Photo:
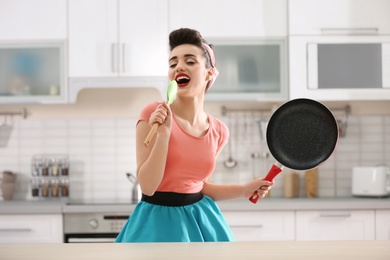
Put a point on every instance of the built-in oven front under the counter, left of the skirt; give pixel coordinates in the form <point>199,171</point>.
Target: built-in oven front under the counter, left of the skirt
<point>93,227</point>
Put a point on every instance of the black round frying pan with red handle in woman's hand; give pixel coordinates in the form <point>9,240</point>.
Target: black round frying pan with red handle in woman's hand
<point>301,134</point>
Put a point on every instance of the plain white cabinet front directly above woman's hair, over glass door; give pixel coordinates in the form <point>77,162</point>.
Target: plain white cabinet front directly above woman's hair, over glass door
<point>234,18</point>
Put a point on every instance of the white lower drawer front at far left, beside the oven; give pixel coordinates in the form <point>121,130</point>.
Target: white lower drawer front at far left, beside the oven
<point>31,228</point>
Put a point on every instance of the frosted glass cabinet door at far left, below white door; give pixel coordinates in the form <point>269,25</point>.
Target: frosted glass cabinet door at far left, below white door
<point>33,72</point>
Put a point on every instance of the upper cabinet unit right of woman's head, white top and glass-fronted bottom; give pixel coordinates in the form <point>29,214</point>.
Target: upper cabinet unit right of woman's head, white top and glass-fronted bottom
<point>250,43</point>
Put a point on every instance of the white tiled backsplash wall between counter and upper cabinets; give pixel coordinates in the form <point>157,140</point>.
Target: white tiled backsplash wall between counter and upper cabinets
<point>101,151</point>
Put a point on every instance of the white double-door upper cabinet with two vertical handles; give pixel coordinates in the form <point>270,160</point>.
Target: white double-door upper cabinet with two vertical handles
<point>118,38</point>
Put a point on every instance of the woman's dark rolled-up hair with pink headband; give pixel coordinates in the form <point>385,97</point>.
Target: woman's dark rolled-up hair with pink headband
<point>189,36</point>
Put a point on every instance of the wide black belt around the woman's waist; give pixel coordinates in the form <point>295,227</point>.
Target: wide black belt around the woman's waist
<point>172,198</point>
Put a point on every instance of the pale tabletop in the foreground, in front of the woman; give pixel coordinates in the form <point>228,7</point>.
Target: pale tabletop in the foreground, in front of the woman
<point>278,250</point>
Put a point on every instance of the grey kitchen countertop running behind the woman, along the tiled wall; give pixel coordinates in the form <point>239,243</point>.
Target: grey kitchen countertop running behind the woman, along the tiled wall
<point>269,204</point>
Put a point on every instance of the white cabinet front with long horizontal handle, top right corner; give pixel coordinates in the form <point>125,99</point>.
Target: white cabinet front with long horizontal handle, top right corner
<point>308,17</point>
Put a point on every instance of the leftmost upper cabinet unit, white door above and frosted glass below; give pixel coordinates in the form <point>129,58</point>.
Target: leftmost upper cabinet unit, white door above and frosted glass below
<point>33,51</point>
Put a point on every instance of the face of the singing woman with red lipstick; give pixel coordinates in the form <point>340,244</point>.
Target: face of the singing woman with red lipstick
<point>187,66</point>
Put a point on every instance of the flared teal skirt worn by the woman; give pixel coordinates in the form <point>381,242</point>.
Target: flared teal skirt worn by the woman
<point>201,221</point>
